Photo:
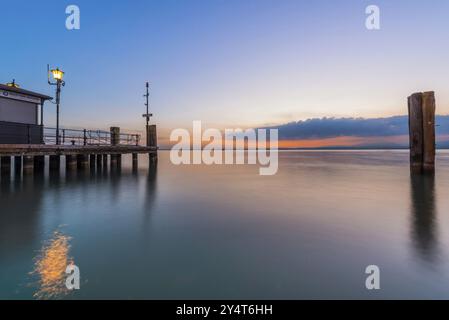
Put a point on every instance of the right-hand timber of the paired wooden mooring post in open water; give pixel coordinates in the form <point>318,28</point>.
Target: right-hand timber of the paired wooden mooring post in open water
<point>428,105</point>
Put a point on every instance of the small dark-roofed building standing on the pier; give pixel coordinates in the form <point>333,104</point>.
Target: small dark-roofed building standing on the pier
<point>21,115</point>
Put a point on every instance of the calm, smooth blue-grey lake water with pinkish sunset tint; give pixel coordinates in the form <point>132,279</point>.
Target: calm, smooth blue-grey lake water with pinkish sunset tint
<point>225,232</point>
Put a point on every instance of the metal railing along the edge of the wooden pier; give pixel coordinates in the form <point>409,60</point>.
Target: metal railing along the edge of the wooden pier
<point>85,137</point>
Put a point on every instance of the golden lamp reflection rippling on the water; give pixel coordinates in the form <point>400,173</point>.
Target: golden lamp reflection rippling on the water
<point>50,266</point>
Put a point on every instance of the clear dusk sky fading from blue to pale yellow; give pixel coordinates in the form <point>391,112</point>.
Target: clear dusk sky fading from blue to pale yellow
<point>228,63</point>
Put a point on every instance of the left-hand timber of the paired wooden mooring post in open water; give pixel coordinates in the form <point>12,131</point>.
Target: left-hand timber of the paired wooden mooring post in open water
<point>416,129</point>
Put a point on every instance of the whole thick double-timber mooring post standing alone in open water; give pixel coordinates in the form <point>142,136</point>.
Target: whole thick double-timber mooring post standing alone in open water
<point>421,108</point>
